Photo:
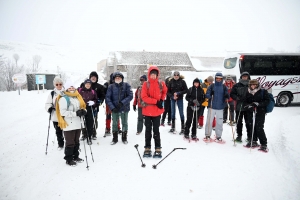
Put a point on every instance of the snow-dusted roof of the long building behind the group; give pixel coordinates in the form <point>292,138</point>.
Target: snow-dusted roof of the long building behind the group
<point>153,58</point>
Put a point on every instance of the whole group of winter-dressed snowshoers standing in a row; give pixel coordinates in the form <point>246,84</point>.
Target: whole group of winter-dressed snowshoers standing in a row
<point>75,110</point>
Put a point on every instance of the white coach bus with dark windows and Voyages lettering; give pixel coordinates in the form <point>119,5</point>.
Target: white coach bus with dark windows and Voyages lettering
<point>281,72</point>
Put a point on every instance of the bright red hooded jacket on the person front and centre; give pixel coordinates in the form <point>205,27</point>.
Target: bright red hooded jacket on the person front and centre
<point>153,94</point>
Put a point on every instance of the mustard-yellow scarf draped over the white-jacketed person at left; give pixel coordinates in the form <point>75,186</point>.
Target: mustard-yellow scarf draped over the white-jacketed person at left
<point>61,121</point>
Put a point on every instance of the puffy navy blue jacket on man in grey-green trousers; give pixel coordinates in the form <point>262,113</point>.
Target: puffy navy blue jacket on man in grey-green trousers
<point>119,93</point>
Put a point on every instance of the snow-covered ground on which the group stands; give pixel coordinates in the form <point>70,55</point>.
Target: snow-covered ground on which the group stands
<point>203,171</point>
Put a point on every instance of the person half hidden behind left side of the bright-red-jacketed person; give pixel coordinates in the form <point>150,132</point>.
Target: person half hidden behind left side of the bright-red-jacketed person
<point>137,101</point>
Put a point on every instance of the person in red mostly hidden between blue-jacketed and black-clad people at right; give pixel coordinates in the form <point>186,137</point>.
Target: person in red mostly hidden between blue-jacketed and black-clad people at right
<point>229,84</point>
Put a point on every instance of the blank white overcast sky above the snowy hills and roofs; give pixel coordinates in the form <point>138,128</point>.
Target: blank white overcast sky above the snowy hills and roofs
<point>182,25</point>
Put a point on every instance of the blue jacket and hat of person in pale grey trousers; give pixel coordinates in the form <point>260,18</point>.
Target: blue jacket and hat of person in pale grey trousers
<point>220,94</point>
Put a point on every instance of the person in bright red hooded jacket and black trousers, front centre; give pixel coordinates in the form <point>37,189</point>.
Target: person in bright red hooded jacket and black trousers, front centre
<point>153,94</point>
